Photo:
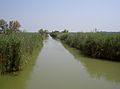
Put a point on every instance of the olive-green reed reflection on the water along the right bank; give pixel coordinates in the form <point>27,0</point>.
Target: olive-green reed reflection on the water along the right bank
<point>98,69</point>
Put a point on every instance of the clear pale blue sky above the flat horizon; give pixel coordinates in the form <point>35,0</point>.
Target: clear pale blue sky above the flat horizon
<point>74,15</point>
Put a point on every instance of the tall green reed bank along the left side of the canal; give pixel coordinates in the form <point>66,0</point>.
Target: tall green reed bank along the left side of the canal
<point>16,49</point>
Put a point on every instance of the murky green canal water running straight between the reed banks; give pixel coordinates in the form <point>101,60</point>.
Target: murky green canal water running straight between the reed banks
<point>61,67</point>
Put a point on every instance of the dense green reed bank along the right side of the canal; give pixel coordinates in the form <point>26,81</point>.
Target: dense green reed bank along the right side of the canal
<point>97,45</point>
